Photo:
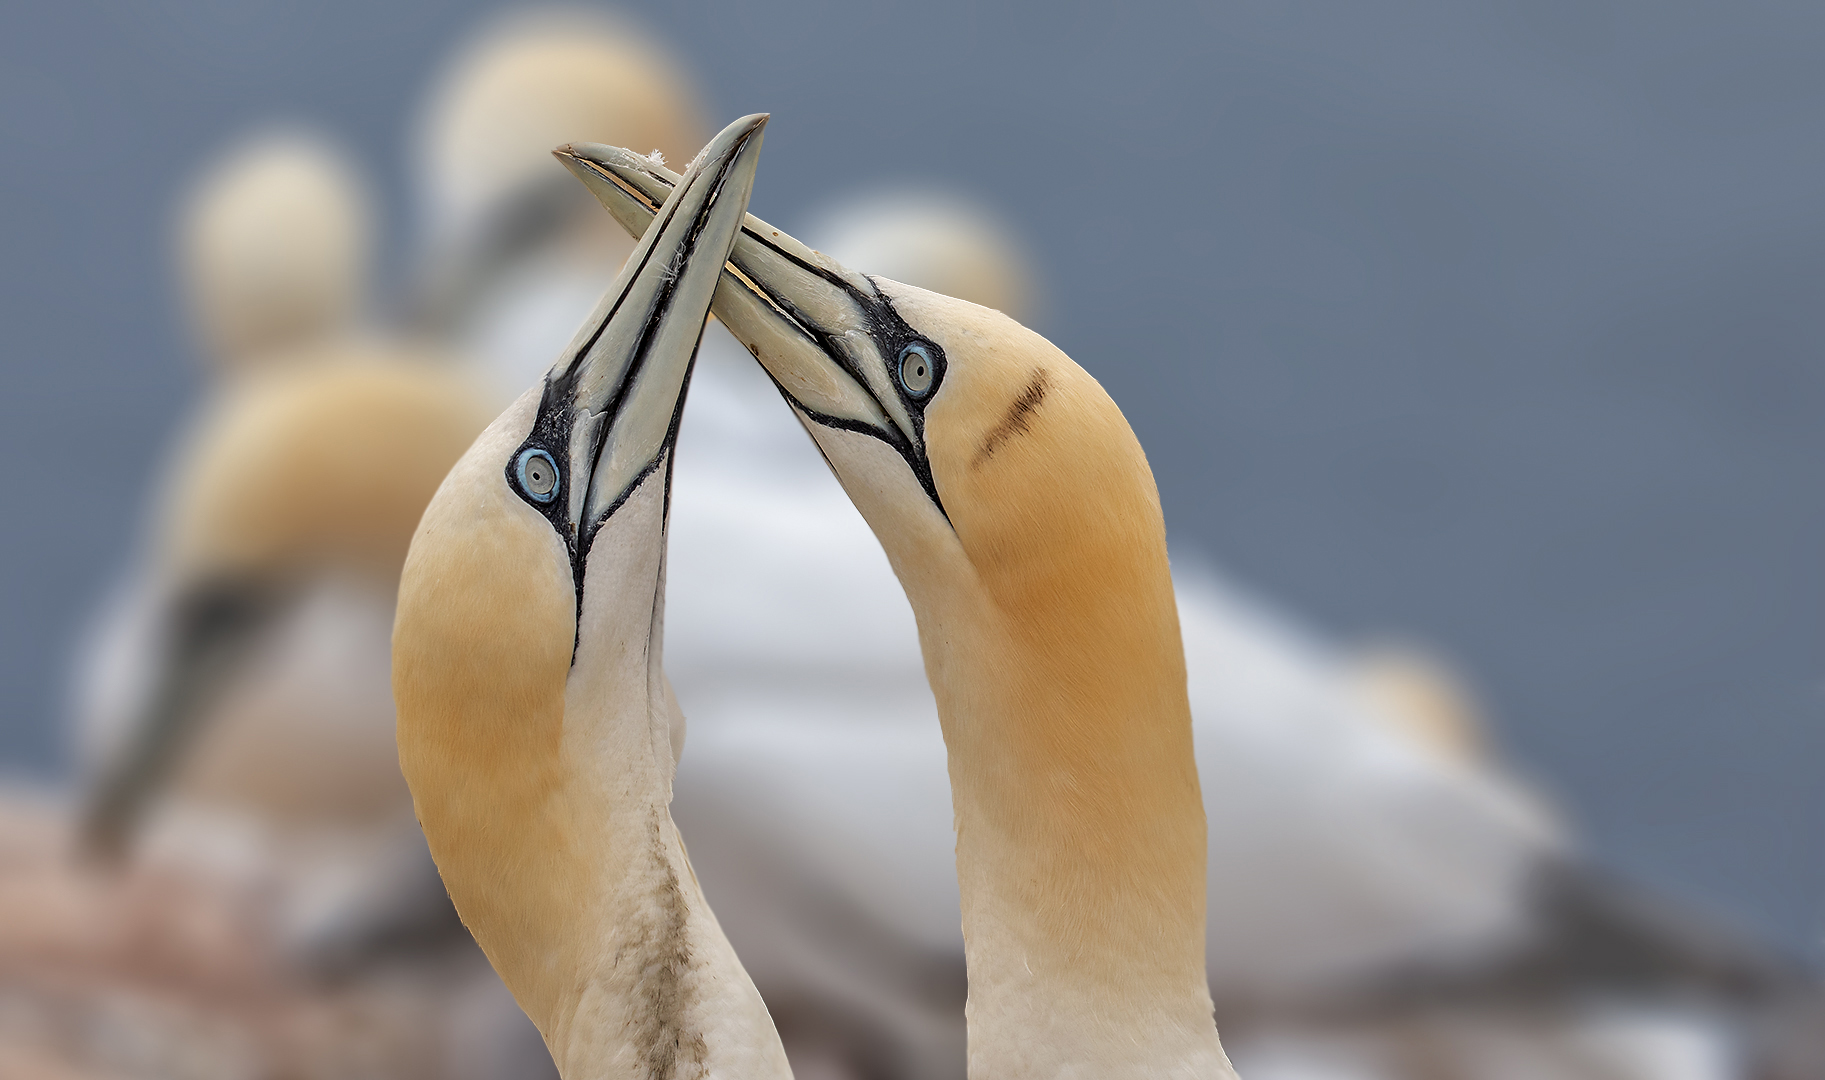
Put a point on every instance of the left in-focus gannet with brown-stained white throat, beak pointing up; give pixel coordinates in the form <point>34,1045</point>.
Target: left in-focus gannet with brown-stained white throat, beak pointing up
<point>537,731</point>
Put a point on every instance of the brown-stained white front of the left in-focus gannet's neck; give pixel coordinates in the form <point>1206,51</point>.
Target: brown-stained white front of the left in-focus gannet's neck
<point>658,988</point>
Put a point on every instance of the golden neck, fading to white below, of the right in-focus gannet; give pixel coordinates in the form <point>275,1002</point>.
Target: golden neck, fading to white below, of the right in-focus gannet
<point>1081,829</point>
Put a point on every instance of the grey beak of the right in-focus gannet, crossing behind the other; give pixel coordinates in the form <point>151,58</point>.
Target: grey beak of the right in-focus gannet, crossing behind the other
<point>828,337</point>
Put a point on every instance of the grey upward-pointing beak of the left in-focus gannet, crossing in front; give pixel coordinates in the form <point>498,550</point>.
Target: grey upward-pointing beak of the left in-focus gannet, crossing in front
<point>623,377</point>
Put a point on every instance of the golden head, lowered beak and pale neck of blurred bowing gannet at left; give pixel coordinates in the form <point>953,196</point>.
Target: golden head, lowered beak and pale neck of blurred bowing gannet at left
<point>276,559</point>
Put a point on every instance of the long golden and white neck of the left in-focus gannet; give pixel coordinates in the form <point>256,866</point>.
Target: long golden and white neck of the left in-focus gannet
<point>547,807</point>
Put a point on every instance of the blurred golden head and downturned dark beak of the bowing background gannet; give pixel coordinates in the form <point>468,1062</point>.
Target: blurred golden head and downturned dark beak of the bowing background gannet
<point>293,479</point>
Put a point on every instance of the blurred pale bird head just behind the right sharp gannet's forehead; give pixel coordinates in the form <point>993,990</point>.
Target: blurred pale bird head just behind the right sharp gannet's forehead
<point>933,240</point>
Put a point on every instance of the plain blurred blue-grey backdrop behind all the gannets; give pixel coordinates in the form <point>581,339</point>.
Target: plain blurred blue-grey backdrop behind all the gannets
<point>1494,324</point>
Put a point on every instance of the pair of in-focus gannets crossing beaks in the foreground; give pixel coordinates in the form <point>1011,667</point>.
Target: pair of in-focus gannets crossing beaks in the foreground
<point>537,729</point>
